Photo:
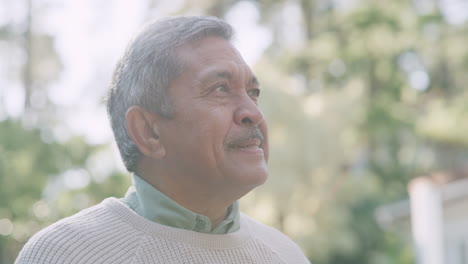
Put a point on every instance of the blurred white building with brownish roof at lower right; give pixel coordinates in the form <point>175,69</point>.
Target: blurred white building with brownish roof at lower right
<point>434,219</point>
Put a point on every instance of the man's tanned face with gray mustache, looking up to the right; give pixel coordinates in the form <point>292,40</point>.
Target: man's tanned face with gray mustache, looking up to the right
<point>218,136</point>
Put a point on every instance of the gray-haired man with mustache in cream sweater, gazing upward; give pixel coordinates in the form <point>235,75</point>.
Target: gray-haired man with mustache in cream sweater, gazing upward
<point>183,108</point>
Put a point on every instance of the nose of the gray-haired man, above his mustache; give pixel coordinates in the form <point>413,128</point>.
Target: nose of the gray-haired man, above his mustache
<point>248,113</point>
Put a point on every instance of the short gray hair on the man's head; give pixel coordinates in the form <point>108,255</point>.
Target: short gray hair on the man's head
<point>143,75</point>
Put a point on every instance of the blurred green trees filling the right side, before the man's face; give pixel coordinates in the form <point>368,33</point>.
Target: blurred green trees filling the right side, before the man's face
<point>367,97</point>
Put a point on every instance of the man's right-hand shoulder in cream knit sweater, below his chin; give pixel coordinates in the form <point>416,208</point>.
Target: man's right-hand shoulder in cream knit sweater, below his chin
<point>275,240</point>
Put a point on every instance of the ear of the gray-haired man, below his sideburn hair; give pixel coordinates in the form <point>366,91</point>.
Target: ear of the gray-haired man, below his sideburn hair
<point>142,129</point>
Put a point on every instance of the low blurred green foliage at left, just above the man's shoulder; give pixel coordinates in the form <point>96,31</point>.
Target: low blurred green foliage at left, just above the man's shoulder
<point>28,166</point>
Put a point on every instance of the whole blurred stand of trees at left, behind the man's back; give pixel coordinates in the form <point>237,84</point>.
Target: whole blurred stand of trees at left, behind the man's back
<point>42,176</point>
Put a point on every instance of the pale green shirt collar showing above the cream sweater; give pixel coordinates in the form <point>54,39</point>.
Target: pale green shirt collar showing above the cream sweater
<point>155,206</point>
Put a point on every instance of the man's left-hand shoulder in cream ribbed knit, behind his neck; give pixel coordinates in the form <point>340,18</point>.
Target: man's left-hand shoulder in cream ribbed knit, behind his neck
<point>81,238</point>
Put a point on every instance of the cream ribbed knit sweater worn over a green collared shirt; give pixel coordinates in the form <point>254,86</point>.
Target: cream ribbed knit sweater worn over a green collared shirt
<point>110,232</point>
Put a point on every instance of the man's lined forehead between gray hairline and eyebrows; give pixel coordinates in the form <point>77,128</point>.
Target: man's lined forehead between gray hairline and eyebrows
<point>209,56</point>
